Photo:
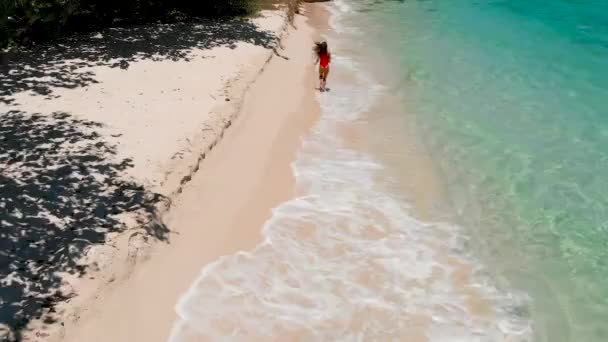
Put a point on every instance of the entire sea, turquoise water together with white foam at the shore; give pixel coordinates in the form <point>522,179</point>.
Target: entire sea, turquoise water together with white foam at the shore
<point>454,188</point>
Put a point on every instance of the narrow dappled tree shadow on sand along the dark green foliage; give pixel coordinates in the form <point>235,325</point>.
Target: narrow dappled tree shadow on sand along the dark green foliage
<point>63,63</point>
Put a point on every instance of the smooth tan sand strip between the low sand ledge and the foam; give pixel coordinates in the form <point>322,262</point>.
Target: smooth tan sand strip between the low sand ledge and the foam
<point>223,206</point>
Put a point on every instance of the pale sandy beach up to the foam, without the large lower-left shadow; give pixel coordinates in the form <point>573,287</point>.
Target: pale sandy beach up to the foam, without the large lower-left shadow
<point>165,111</point>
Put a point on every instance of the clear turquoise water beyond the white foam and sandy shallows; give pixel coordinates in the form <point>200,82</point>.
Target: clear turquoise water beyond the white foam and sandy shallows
<point>511,97</point>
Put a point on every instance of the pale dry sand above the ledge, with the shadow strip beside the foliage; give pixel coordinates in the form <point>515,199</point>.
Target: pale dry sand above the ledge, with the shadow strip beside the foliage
<point>159,102</point>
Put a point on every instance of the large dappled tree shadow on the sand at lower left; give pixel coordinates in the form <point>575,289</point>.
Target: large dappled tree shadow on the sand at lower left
<point>62,189</point>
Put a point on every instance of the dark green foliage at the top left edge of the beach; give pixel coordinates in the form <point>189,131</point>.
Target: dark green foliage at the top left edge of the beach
<point>24,21</point>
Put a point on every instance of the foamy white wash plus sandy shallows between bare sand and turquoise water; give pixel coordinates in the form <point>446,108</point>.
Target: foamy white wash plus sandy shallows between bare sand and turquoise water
<point>347,257</point>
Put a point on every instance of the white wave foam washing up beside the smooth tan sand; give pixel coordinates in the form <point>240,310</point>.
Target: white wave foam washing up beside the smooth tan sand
<point>345,261</point>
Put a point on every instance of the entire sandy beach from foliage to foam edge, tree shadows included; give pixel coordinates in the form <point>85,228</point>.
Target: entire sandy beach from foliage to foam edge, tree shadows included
<point>132,114</point>
